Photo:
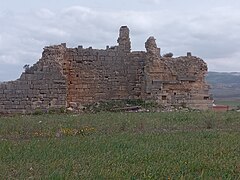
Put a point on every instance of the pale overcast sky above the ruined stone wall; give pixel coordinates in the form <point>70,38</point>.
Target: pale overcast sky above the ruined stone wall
<point>209,29</point>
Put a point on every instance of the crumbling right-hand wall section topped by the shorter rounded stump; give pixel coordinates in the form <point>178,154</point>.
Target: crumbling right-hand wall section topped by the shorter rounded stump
<point>175,81</point>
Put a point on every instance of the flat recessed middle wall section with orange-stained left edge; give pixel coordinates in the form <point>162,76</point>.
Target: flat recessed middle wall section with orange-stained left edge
<point>98,75</point>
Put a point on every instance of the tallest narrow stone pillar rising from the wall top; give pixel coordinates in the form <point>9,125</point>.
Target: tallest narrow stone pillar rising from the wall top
<point>124,40</point>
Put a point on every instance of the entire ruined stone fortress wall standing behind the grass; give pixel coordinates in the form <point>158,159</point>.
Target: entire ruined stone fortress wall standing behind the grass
<point>72,77</point>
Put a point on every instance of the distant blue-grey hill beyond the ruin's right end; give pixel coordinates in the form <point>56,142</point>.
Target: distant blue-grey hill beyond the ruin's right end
<point>224,85</point>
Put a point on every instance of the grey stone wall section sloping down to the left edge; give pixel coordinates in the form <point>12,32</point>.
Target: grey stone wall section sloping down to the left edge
<point>42,86</point>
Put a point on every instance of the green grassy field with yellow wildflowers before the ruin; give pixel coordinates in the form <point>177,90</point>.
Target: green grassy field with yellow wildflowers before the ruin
<point>176,145</point>
